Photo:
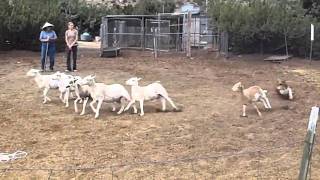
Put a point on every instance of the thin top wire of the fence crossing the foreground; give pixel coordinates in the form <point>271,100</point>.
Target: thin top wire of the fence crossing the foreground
<point>189,159</point>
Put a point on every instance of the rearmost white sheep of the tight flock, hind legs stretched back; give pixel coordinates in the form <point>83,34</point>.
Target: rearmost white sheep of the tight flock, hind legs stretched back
<point>150,92</point>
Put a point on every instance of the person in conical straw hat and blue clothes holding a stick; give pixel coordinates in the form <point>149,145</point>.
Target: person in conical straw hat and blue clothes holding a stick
<point>48,48</point>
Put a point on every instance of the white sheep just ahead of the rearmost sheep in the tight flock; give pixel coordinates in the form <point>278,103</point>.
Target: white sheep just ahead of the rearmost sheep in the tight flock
<point>114,93</point>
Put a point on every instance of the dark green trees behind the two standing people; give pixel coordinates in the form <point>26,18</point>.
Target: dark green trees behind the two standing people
<point>21,20</point>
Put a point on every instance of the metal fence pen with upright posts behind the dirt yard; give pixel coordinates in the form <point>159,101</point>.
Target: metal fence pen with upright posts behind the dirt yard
<point>162,32</point>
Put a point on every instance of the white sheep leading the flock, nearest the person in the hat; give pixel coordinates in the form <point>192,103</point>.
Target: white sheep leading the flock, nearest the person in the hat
<point>45,82</point>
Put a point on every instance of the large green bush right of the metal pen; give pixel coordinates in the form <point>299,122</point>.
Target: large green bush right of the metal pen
<point>263,25</point>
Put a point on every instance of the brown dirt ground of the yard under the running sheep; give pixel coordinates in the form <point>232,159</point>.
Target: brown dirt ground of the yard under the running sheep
<point>207,140</point>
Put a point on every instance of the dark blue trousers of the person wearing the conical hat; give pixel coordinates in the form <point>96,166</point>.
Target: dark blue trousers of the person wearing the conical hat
<point>51,53</point>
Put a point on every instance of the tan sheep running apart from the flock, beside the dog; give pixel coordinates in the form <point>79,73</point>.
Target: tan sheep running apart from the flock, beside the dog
<point>252,95</point>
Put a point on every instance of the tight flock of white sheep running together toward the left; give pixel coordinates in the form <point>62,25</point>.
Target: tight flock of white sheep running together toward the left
<point>86,88</point>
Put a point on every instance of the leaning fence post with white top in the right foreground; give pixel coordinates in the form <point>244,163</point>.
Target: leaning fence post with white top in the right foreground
<point>308,144</point>
